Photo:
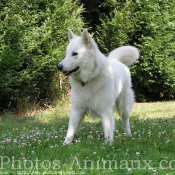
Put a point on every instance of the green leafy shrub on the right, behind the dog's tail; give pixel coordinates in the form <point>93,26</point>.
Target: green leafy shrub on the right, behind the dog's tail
<point>149,25</point>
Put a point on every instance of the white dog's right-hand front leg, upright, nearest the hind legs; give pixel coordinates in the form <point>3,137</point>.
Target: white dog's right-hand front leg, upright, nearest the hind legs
<point>108,122</point>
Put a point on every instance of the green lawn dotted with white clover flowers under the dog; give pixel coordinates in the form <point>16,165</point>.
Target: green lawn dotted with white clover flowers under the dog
<point>33,145</point>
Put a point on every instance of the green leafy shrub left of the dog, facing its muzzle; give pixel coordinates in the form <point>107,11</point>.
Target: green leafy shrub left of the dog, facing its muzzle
<point>33,37</point>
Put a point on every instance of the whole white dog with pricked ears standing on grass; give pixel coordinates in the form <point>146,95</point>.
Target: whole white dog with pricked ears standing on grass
<point>98,83</point>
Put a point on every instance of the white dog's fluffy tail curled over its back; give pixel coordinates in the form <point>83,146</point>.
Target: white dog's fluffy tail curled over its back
<point>125,54</point>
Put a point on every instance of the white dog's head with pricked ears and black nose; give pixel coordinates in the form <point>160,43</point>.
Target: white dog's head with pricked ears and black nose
<point>78,53</point>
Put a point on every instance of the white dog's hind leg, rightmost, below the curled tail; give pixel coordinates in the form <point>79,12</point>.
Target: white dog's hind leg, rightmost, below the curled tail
<point>124,105</point>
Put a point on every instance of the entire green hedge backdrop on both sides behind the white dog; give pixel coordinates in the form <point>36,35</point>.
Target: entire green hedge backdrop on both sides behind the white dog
<point>33,38</point>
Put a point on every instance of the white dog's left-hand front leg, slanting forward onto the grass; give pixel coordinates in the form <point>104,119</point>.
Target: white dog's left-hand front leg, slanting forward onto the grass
<point>75,121</point>
